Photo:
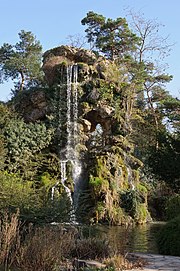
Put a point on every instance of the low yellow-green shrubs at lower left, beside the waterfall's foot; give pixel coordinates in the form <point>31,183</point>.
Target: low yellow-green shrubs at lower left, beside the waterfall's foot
<point>34,203</point>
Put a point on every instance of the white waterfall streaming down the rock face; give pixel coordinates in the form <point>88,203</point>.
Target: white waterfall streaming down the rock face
<point>68,153</point>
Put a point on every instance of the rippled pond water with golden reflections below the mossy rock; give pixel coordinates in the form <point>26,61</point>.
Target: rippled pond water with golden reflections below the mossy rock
<point>141,238</point>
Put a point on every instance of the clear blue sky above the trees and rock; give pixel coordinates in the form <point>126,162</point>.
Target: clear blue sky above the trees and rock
<point>52,21</point>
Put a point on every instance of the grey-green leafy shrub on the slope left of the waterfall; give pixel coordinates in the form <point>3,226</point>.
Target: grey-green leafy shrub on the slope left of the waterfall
<point>23,141</point>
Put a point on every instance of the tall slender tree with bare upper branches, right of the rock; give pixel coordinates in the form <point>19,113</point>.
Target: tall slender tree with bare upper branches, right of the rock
<point>150,50</point>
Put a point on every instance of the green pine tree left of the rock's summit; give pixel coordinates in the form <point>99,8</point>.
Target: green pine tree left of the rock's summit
<point>21,62</point>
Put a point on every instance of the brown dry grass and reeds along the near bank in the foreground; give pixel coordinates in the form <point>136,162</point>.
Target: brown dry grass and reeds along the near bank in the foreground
<point>53,248</point>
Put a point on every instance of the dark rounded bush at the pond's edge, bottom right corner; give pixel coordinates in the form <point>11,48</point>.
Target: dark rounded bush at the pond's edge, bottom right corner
<point>168,239</point>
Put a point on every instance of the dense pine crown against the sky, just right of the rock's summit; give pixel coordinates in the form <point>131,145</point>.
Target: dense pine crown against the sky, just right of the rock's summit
<point>113,38</point>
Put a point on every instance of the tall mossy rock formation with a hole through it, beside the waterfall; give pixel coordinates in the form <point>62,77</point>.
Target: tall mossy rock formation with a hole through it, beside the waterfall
<point>111,172</point>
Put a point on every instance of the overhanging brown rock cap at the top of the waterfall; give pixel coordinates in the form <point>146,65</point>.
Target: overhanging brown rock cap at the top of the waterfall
<point>89,64</point>
